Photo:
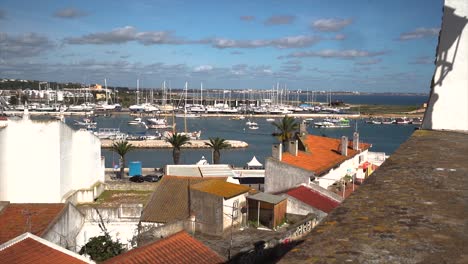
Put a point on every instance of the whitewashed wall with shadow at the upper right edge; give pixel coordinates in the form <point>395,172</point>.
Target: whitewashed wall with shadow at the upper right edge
<point>448,104</point>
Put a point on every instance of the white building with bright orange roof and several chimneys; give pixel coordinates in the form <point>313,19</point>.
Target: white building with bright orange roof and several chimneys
<point>314,160</point>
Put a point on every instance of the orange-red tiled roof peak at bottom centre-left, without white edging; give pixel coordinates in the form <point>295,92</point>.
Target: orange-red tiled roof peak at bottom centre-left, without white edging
<point>178,248</point>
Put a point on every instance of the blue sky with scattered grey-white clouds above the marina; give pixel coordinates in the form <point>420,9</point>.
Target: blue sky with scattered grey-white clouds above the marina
<point>333,45</point>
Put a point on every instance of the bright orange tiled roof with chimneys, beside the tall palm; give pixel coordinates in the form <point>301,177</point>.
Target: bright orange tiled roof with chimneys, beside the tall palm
<point>323,154</point>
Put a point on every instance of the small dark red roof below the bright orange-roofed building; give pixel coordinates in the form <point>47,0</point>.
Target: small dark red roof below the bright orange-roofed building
<point>313,198</point>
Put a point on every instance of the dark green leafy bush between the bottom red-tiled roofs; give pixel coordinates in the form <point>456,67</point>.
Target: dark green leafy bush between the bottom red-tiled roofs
<point>101,248</point>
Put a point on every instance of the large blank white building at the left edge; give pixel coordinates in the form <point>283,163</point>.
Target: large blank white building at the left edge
<point>50,162</point>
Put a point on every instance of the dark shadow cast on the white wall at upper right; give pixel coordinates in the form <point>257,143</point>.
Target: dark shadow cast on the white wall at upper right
<point>449,36</point>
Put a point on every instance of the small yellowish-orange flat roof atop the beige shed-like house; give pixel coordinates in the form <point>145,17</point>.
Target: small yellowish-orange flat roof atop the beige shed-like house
<point>220,188</point>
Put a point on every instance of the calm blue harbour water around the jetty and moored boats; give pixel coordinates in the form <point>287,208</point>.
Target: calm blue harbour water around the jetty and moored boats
<point>384,138</point>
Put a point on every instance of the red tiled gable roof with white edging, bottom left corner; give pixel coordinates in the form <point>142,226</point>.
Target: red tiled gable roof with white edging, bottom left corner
<point>30,249</point>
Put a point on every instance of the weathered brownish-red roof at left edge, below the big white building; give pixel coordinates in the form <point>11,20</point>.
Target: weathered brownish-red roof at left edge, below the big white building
<point>14,219</point>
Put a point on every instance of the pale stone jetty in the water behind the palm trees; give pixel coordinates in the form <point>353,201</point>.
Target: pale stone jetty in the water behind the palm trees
<point>162,144</point>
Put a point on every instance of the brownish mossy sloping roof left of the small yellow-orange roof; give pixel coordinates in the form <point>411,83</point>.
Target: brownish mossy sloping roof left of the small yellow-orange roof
<point>169,201</point>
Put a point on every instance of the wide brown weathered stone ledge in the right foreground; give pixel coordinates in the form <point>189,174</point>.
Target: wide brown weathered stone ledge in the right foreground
<point>412,210</point>
